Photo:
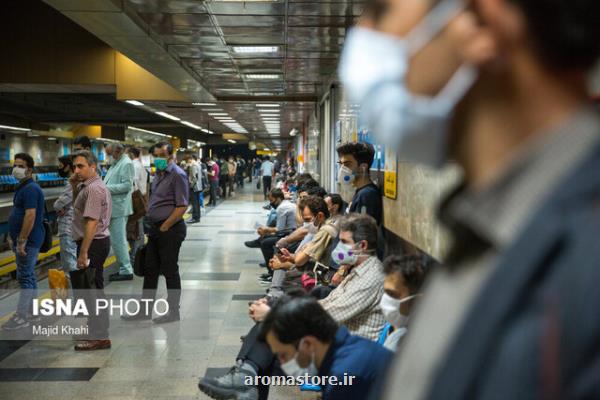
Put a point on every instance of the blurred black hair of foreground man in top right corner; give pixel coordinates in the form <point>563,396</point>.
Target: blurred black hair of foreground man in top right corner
<point>564,33</point>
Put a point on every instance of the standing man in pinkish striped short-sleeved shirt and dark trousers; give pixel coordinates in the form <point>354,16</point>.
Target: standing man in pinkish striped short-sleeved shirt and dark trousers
<point>92,209</point>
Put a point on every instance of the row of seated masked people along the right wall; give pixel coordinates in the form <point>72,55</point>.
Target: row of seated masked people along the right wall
<point>328,300</point>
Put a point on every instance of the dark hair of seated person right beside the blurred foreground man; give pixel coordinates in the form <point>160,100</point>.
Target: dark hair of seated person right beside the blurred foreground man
<point>413,268</point>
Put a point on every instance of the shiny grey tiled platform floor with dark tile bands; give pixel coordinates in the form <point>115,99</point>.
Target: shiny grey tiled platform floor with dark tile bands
<point>219,277</point>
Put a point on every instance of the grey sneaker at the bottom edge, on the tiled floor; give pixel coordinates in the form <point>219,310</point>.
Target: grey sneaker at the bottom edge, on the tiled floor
<point>232,385</point>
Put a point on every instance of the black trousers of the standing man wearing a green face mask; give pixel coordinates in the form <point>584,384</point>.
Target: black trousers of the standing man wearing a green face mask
<point>162,256</point>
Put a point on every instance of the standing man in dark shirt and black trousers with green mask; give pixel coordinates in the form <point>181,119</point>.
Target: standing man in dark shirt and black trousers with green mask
<point>169,198</point>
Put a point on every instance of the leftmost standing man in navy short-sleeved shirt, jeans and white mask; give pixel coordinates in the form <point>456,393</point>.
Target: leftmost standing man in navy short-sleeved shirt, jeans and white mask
<point>26,232</point>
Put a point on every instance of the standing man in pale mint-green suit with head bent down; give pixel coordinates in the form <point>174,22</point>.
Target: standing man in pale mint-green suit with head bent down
<point>119,181</point>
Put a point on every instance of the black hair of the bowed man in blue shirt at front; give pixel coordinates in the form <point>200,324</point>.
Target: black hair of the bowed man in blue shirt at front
<point>291,319</point>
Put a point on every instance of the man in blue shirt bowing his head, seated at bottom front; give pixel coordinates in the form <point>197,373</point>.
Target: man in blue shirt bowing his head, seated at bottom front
<point>308,342</point>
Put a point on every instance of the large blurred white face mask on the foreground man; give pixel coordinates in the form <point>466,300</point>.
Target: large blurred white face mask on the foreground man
<point>373,70</point>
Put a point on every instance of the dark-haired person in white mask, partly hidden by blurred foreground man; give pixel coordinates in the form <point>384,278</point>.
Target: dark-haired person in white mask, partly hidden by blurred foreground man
<point>403,281</point>
